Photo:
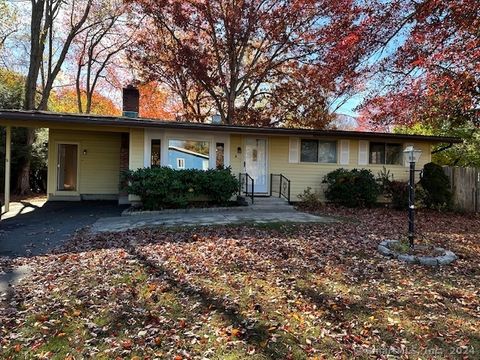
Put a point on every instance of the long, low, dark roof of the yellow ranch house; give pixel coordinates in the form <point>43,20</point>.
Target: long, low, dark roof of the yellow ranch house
<point>105,121</point>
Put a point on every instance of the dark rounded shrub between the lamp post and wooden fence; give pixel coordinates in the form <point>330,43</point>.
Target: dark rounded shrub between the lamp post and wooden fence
<point>436,186</point>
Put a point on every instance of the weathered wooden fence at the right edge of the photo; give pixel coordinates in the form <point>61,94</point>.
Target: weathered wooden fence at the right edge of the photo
<point>465,183</point>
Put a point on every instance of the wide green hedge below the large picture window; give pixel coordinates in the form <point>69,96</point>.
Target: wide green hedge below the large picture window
<point>163,187</point>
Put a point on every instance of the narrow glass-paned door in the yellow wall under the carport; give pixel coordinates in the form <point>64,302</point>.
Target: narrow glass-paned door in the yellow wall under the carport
<point>67,167</point>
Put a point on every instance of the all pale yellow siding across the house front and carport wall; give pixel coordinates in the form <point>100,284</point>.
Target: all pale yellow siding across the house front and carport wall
<point>99,170</point>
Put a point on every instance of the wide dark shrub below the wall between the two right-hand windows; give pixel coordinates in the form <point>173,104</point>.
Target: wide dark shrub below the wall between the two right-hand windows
<point>352,188</point>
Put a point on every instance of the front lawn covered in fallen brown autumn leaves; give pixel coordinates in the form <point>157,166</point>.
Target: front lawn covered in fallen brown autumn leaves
<point>258,292</point>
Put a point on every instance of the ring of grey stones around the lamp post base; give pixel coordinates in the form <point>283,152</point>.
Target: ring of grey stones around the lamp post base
<point>448,256</point>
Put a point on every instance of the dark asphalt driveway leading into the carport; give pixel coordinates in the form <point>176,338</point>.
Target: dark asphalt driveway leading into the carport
<point>38,227</point>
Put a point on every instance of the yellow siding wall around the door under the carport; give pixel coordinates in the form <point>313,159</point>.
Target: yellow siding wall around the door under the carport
<point>98,169</point>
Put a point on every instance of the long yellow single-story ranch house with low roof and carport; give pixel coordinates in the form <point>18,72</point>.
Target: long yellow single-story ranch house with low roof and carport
<point>86,153</point>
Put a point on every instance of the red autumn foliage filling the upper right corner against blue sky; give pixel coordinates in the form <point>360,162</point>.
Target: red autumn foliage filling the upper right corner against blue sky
<point>430,65</point>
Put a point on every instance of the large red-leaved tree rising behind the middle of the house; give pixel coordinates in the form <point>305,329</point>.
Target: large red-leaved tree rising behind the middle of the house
<point>255,61</point>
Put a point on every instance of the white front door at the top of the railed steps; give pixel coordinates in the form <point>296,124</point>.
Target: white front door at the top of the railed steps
<point>256,162</point>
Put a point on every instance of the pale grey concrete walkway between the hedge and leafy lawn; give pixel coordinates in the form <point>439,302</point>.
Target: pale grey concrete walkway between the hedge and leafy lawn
<point>201,217</point>
